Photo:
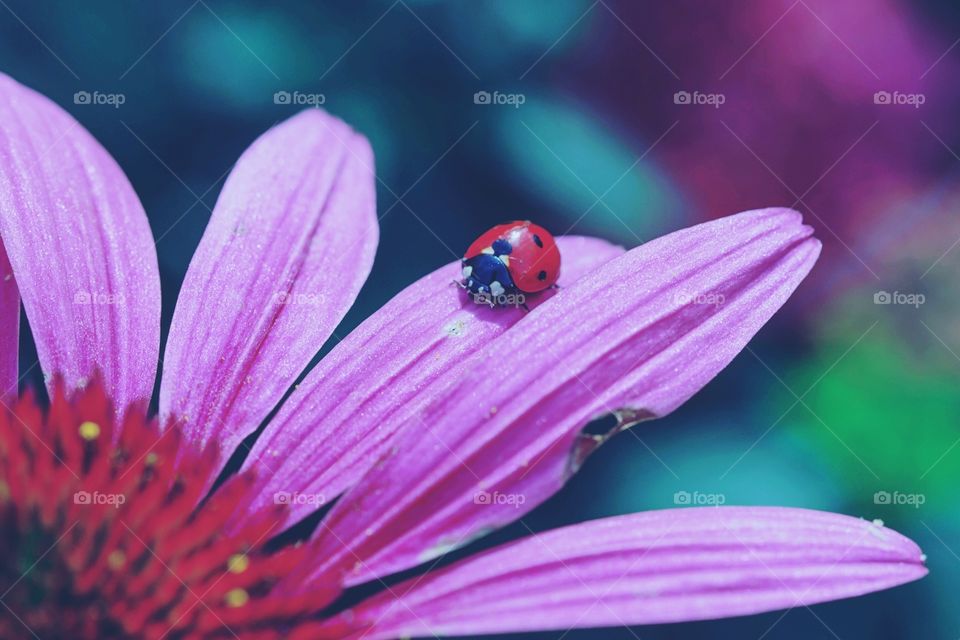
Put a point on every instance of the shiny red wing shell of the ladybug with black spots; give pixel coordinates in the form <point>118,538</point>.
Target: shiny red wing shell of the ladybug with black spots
<point>533,259</point>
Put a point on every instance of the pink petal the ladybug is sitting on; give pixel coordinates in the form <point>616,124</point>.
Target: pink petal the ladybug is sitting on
<point>338,421</point>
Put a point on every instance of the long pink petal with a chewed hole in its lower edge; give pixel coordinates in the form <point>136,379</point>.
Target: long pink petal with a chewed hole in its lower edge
<point>639,335</point>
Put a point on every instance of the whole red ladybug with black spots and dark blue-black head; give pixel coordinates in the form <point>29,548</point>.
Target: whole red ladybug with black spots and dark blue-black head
<point>510,260</point>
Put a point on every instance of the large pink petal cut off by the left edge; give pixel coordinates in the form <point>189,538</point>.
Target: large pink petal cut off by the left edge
<point>81,249</point>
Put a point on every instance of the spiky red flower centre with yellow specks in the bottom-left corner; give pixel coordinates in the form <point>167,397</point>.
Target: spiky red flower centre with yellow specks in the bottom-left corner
<point>103,537</point>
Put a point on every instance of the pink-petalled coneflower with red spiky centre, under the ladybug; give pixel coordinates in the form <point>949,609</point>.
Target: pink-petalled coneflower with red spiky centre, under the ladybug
<point>434,422</point>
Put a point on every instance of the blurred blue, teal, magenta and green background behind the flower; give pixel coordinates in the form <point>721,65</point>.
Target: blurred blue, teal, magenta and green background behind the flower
<point>623,119</point>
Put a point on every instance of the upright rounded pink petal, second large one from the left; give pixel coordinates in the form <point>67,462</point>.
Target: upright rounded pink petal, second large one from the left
<point>289,245</point>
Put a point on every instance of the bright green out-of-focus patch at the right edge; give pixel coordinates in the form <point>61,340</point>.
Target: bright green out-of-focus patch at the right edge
<point>888,413</point>
